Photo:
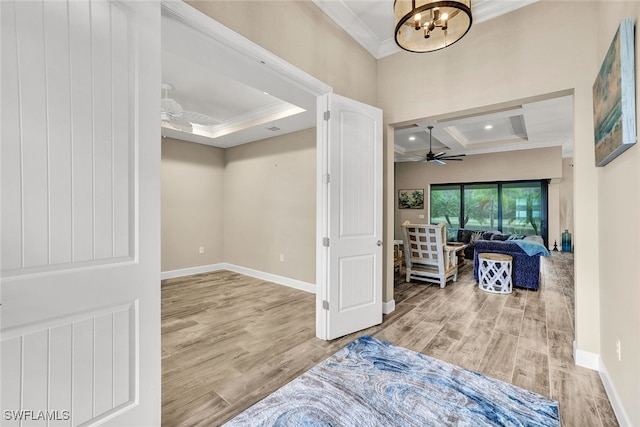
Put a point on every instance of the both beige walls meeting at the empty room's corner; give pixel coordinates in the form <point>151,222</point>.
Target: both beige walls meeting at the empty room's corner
<point>245,205</point>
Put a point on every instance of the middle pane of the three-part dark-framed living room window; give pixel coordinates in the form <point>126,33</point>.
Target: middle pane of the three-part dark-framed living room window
<point>481,206</point>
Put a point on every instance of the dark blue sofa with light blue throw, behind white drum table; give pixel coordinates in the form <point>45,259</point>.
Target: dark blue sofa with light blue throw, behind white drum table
<point>525,267</point>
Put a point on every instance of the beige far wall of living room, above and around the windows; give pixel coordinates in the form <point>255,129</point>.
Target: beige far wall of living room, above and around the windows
<point>543,163</point>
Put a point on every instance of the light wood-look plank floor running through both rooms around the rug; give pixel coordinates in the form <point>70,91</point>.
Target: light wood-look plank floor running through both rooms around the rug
<point>229,340</point>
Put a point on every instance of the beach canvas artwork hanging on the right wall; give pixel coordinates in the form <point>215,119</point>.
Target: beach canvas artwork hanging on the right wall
<point>614,113</point>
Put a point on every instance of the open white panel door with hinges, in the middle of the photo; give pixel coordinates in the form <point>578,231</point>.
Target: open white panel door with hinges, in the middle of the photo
<point>349,296</point>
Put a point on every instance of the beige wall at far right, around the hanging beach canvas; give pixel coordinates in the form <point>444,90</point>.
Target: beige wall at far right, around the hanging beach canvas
<point>619,232</point>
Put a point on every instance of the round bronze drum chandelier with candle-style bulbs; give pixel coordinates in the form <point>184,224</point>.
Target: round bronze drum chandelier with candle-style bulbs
<point>428,25</point>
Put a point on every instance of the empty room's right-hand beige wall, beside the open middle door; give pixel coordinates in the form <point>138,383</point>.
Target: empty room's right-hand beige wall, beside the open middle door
<point>270,205</point>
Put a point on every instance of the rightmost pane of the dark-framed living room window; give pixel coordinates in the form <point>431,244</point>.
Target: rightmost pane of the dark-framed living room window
<point>522,208</point>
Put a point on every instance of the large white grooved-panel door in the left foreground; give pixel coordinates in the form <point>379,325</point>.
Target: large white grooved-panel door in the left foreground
<point>80,213</point>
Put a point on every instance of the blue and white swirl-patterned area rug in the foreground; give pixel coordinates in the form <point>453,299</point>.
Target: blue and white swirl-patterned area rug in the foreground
<point>374,383</point>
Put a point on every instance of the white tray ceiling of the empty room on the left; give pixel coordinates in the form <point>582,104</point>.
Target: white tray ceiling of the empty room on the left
<point>248,102</point>
